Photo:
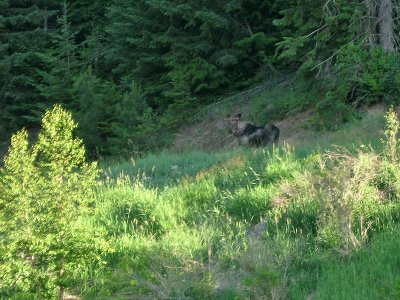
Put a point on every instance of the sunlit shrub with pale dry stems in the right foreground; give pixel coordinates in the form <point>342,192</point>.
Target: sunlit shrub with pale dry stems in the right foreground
<point>339,197</point>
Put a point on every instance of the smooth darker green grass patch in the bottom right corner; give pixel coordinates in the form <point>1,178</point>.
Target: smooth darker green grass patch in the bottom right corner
<point>373,273</point>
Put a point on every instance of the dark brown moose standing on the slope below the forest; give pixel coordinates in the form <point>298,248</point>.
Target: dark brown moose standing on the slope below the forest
<point>248,134</point>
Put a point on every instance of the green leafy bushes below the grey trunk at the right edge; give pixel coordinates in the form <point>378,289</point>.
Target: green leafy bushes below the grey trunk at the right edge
<point>360,77</point>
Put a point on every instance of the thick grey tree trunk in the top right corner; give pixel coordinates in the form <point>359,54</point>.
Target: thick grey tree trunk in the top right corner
<point>386,25</point>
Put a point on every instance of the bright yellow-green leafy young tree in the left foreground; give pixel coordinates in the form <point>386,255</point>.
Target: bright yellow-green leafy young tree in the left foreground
<point>45,189</point>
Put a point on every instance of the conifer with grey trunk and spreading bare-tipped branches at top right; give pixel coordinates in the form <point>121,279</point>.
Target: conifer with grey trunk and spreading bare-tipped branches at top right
<point>316,30</point>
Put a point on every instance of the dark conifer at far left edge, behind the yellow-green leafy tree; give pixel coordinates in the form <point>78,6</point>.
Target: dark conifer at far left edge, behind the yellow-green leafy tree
<point>25,28</point>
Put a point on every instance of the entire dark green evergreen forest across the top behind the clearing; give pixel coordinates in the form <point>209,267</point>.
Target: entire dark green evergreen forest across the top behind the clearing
<point>134,71</point>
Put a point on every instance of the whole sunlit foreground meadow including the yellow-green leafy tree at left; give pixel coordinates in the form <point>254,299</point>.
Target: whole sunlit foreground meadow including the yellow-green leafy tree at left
<point>318,220</point>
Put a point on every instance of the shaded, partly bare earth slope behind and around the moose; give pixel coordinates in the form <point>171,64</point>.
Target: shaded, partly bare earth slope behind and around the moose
<point>258,105</point>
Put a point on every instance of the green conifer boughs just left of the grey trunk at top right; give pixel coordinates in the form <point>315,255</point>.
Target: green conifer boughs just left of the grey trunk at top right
<point>314,31</point>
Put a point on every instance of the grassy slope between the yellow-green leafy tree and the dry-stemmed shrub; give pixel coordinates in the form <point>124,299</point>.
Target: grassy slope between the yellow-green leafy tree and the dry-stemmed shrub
<point>180,226</point>
